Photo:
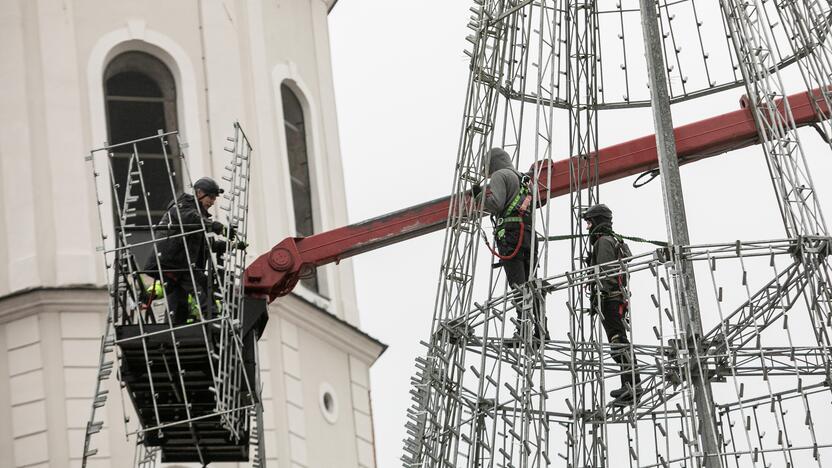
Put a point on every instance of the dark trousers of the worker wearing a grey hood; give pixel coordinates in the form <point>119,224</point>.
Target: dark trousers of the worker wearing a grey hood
<point>518,272</point>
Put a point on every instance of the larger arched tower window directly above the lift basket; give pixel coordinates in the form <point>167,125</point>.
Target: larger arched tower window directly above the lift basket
<point>140,95</point>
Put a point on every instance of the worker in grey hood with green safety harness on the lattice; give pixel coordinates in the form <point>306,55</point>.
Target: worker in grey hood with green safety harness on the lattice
<point>507,199</point>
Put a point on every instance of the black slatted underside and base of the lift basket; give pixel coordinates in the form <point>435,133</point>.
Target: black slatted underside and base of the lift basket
<point>149,355</point>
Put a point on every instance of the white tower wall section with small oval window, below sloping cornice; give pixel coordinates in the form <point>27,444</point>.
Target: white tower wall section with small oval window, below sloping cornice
<point>317,355</point>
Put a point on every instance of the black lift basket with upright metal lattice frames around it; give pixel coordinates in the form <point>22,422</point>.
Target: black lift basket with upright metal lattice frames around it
<point>193,385</point>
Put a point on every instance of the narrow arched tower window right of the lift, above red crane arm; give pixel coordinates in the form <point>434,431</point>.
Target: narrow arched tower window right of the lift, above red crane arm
<point>296,147</point>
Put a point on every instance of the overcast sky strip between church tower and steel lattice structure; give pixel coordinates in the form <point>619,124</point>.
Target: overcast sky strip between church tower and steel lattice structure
<point>400,79</point>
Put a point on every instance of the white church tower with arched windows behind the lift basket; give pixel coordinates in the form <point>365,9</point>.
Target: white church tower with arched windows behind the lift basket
<point>75,74</point>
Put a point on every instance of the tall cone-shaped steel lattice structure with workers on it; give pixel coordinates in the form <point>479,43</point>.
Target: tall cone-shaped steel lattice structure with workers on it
<point>747,382</point>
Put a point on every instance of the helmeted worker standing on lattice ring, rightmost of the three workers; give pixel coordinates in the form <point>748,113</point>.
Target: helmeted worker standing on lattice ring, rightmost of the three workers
<point>610,296</point>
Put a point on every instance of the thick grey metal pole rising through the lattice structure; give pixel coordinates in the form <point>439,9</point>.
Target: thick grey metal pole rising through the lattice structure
<point>677,230</point>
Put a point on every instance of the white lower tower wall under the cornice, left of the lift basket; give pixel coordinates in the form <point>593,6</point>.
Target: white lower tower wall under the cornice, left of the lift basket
<point>49,362</point>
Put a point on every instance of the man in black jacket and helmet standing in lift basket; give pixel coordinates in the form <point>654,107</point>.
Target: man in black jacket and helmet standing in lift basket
<point>184,286</point>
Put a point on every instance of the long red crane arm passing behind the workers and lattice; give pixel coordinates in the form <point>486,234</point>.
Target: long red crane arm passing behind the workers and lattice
<point>276,273</point>
